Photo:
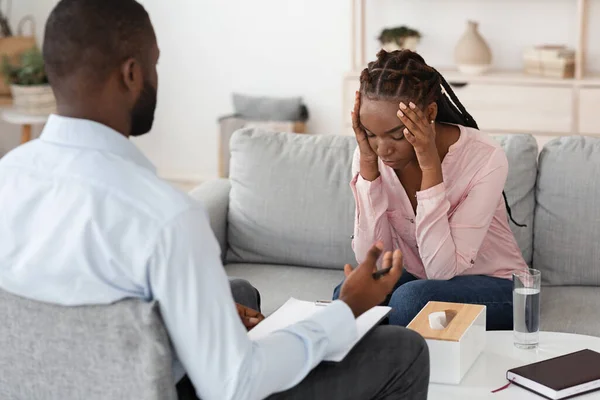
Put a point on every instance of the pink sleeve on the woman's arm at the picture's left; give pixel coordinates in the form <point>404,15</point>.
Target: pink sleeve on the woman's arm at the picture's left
<point>371,223</point>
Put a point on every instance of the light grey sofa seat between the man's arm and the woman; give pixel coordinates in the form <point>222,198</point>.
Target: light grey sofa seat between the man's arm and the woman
<point>277,283</point>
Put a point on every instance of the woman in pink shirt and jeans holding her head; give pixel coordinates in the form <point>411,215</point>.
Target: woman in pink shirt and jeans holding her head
<point>428,182</point>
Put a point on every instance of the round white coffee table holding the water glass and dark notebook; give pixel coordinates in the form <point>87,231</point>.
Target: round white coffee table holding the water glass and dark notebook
<point>489,371</point>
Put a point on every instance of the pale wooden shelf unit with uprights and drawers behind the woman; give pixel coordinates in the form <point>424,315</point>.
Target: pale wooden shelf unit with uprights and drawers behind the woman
<point>507,101</point>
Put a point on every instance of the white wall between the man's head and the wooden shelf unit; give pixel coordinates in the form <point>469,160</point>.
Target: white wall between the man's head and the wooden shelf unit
<point>211,48</point>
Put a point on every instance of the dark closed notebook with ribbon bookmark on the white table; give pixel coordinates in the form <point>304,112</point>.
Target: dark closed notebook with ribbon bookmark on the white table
<point>561,377</point>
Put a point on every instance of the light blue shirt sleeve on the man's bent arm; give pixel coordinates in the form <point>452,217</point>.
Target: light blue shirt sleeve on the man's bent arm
<point>187,278</point>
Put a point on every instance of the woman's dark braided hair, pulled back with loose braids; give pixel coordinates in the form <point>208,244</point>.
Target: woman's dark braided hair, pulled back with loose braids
<point>403,74</point>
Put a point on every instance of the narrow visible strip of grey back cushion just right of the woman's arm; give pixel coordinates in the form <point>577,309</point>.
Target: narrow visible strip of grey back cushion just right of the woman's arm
<point>522,154</point>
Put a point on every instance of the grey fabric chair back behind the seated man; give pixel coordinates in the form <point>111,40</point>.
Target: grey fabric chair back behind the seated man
<point>120,351</point>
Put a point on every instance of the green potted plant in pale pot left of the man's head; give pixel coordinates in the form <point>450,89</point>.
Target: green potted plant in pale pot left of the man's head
<point>29,85</point>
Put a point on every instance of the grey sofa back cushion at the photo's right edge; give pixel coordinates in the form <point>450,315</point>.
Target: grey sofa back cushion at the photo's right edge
<point>567,217</point>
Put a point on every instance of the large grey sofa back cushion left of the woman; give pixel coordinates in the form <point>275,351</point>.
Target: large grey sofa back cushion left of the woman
<point>290,200</point>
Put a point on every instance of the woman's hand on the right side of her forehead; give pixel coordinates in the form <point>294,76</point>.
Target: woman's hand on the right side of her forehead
<point>420,133</point>
